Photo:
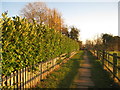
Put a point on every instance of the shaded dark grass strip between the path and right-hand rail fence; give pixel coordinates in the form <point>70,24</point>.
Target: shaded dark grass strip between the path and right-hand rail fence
<point>100,77</point>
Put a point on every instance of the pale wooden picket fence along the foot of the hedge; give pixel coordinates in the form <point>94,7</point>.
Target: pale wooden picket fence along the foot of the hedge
<point>25,78</point>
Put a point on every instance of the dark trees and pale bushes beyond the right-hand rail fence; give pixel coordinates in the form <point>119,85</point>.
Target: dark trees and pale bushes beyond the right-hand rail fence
<point>106,42</point>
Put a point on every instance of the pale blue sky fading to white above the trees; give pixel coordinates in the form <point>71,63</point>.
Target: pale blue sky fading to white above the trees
<point>91,18</point>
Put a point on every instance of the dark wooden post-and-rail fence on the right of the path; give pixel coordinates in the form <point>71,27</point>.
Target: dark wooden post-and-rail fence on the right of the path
<point>110,62</point>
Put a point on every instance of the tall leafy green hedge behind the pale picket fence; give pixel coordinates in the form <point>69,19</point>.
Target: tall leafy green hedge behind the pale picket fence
<point>25,43</point>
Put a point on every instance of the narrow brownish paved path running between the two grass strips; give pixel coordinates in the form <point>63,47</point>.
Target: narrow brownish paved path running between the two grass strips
<point>83,78</point>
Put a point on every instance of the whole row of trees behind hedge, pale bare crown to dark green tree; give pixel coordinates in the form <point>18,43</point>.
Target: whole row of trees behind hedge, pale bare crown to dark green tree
<point>42,14</point>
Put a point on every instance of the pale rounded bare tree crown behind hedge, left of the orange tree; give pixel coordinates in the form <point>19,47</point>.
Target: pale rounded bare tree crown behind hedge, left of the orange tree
<point>37,11</point>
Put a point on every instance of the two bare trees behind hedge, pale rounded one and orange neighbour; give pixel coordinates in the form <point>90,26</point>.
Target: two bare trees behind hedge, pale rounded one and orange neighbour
<point>42,14</point>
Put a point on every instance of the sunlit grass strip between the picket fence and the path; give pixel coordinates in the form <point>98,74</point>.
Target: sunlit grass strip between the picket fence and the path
<point>64,76</point>
